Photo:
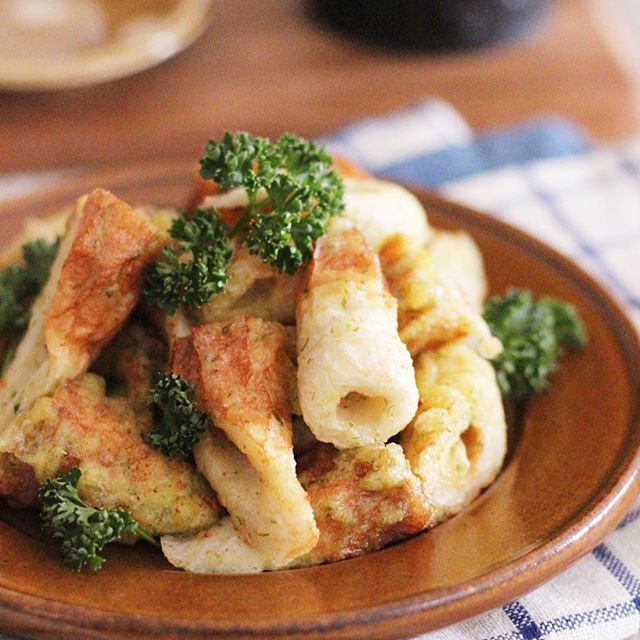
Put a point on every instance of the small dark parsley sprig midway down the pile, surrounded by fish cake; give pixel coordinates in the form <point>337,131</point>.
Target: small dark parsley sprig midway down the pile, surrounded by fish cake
<point>179,422</point>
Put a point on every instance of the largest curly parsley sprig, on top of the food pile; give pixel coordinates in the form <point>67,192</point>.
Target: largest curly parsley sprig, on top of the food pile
<point>291,189</point>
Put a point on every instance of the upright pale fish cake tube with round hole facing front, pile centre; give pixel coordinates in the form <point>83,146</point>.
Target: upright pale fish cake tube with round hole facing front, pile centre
<point>355,376</point>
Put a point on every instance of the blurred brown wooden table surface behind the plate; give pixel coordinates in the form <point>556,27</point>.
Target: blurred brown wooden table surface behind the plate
<point>268,67</point>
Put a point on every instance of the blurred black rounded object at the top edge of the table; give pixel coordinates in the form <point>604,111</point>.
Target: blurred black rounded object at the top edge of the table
<point>440,25</point>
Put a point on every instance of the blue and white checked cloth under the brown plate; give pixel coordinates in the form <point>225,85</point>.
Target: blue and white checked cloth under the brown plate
<point>547,178</point>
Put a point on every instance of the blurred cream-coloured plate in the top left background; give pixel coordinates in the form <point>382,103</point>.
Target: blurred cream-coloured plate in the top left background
<point>60,44</point>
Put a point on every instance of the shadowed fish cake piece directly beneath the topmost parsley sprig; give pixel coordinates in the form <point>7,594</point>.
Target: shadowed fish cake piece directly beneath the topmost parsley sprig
<point>254,288</point>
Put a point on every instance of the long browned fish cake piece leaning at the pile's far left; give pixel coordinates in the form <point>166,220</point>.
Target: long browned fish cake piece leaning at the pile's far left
<point>94,284</point>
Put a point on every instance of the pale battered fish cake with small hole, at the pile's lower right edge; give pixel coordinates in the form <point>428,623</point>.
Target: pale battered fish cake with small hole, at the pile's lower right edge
<point>457,442</point>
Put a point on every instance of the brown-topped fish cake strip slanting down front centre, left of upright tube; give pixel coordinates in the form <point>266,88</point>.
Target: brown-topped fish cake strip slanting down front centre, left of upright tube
<point>241,370</point>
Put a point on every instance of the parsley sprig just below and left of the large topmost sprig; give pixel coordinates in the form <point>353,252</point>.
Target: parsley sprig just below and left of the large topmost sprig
<point>194,268</point>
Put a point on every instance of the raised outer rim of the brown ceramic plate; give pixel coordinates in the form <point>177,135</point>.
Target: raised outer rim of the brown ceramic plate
<point>576,537</point>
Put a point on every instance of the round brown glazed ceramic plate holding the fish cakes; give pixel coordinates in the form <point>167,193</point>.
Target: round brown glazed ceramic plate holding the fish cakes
<point>572,473</point>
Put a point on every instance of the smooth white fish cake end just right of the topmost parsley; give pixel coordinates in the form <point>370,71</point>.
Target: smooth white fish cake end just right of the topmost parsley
<point>380,209</point>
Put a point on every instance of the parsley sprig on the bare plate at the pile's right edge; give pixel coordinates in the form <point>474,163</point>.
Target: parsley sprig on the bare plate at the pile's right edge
<point>534,336</point>
